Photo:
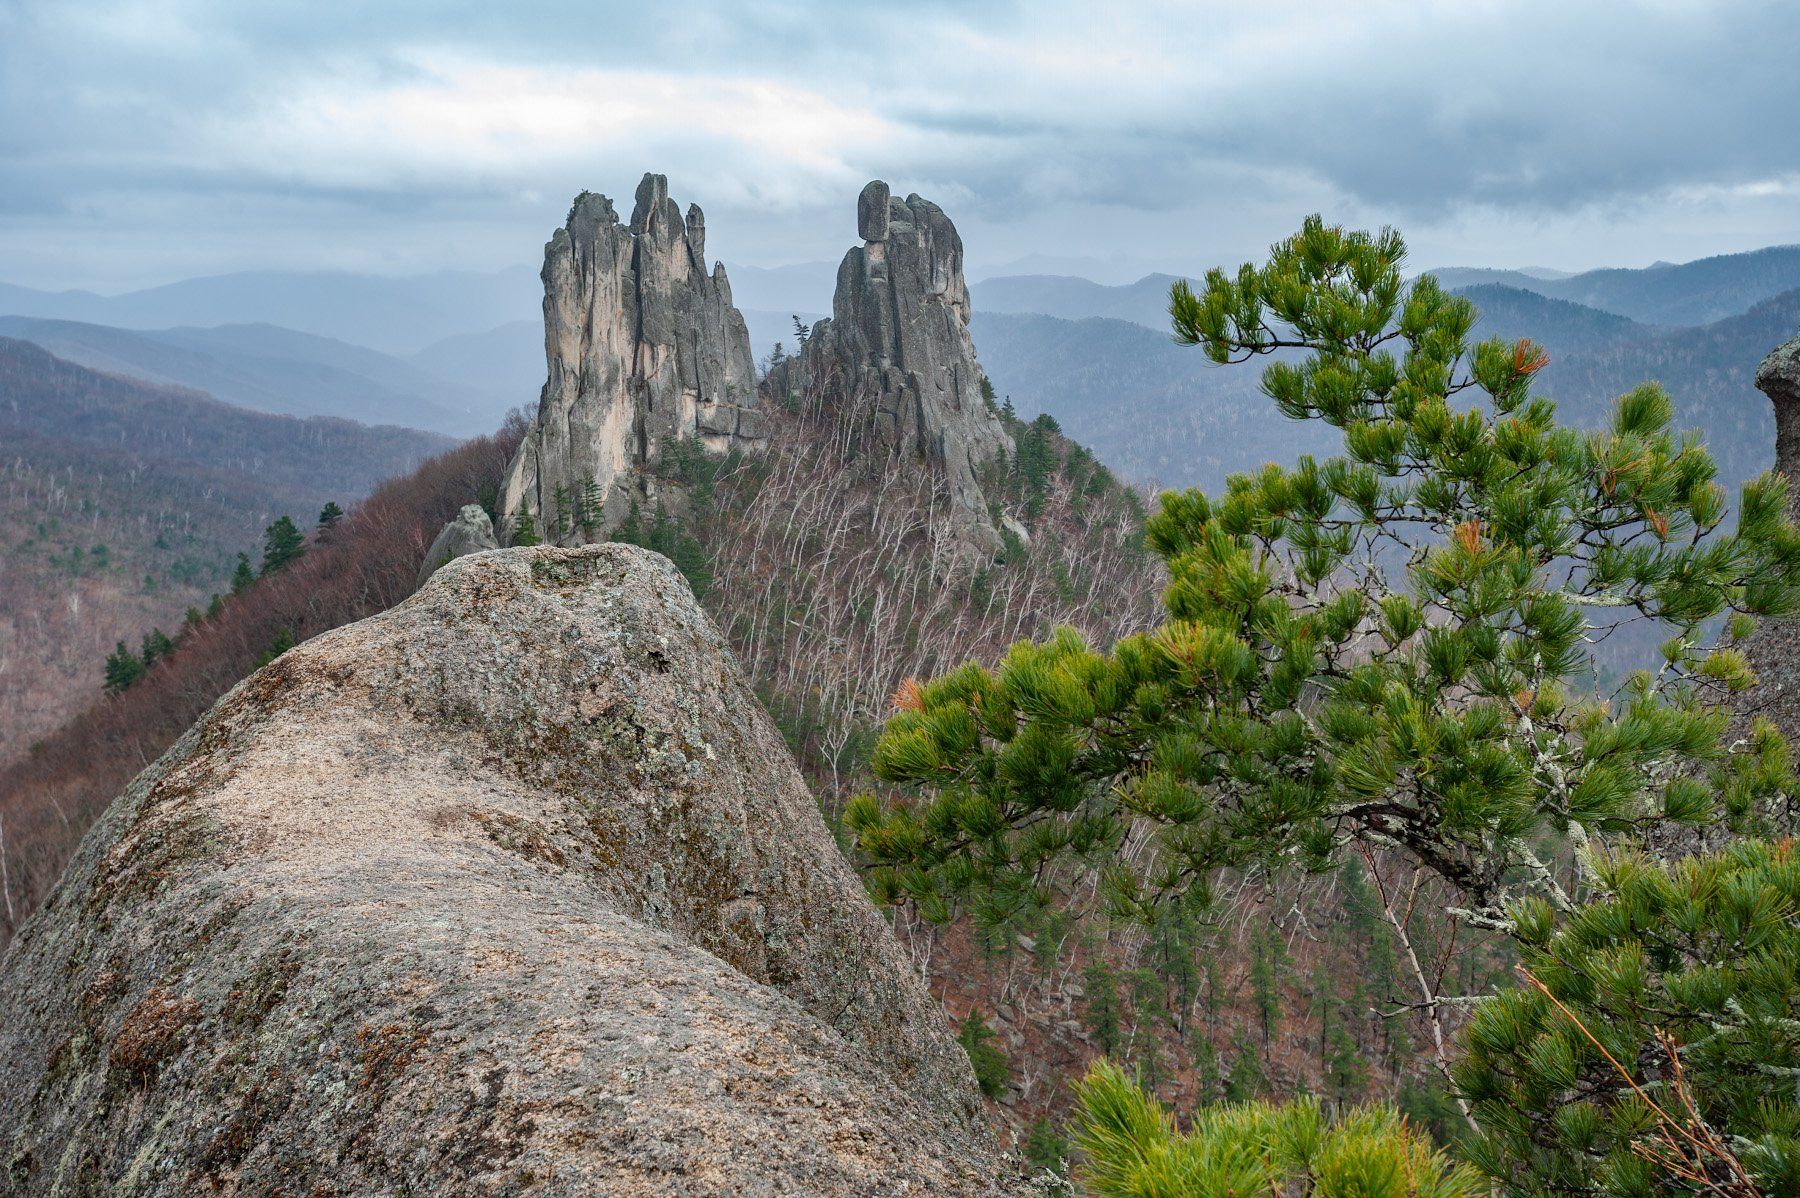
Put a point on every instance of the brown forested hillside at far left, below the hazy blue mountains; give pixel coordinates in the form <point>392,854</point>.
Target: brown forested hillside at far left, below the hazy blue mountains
<point>123,505</point>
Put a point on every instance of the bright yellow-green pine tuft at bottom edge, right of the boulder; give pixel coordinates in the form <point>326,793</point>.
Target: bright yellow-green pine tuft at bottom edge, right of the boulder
<point>1133,1149</point>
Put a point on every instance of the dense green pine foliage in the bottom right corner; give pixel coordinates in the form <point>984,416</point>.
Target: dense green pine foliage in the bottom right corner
<point>1705,952</point>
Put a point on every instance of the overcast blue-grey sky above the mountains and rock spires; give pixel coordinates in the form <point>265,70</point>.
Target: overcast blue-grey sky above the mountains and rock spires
<point>150,141</point>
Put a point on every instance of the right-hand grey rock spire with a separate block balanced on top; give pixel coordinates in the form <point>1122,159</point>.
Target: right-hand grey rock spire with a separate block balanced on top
<point>897,350</point>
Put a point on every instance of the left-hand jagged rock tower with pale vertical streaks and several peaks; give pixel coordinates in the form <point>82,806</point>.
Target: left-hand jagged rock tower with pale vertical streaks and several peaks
<point>643,344</point>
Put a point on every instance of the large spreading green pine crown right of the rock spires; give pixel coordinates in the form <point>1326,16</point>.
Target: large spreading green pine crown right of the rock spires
<point>1390,647</point>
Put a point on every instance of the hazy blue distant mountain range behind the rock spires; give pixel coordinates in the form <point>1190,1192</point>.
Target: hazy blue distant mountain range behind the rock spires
<point>454,352</point>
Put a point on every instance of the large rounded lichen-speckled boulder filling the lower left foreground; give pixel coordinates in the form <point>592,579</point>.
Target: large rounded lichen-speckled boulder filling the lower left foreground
<point>512,890</point>
